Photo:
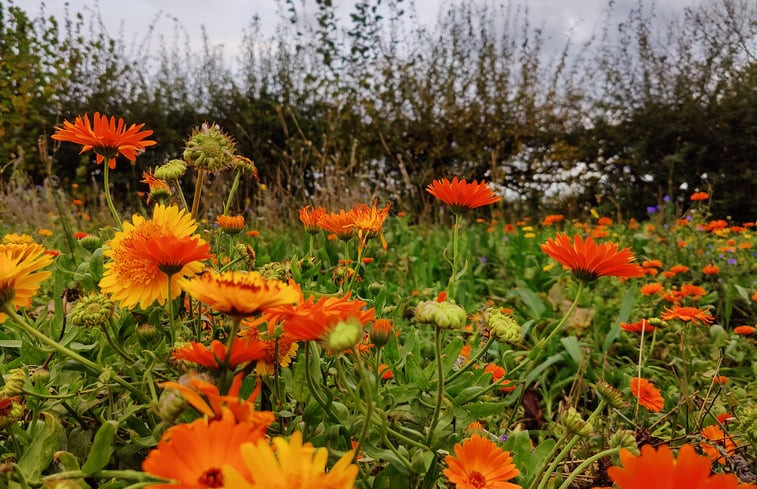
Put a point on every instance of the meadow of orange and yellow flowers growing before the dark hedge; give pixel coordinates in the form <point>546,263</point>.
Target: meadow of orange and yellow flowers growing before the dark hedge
<point>358,348</point>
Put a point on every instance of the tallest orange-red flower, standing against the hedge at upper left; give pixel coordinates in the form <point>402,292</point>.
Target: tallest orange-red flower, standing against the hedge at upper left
<point>105,137</point>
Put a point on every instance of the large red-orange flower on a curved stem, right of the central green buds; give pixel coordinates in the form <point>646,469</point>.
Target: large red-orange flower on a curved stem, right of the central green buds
<point>588,261</point>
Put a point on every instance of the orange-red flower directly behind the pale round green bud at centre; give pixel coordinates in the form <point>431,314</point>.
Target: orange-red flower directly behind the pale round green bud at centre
<point>312,319</point>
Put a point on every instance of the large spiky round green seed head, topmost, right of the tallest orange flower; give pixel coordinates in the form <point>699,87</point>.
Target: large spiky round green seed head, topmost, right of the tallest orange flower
<point>208,147</point>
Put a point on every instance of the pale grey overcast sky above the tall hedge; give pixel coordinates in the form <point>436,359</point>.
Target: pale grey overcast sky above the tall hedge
<point>225,20</point>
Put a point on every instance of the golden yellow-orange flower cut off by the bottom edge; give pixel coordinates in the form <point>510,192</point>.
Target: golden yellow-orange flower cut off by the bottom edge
<point>289,464</point>
